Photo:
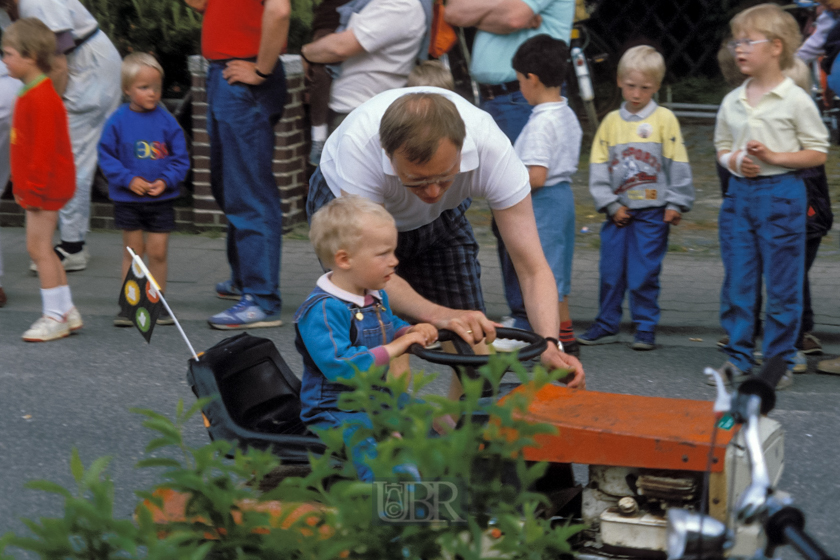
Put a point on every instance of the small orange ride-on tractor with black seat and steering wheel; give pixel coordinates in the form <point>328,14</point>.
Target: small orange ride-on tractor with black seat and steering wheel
<point>645,455</point>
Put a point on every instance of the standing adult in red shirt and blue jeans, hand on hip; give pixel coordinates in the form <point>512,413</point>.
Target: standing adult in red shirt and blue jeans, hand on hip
<point>246,91</point>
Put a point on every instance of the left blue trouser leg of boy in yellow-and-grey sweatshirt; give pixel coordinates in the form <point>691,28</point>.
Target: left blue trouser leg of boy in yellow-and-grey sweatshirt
<point>613,268</point>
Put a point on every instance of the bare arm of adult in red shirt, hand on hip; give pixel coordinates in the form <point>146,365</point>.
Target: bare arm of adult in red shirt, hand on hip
<point>275,32</point>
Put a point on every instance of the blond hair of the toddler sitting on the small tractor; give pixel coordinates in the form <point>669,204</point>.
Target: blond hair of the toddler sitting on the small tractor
<point>340,223</point>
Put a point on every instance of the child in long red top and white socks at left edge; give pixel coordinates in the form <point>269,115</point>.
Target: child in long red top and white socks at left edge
<point>43,174</point>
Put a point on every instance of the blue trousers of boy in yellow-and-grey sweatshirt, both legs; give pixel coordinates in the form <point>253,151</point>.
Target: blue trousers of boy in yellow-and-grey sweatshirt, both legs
<point>631,260</point>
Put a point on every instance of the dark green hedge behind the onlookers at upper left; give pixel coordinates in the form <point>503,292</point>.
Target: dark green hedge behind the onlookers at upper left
<point>172,31</point>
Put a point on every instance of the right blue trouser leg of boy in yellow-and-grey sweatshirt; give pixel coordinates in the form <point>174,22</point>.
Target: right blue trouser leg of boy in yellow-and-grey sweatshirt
<point>647,242</point>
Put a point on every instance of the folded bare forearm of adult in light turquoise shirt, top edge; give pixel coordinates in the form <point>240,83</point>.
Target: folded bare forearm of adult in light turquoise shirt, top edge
<point>501,16</point>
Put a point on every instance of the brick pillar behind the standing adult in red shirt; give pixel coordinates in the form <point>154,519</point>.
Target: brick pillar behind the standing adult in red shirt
<point>290,149</point>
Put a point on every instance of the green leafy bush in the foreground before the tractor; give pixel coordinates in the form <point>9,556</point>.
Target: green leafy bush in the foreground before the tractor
<point>501,520</point>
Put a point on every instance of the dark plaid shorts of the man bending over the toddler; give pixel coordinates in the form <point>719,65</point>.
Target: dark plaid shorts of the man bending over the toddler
<point>439,260</point>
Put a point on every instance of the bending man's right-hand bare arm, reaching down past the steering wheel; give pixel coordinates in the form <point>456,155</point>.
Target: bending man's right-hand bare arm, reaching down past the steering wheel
<point>539,290</point>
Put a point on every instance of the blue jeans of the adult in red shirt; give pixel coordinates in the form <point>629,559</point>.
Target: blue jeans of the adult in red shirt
<point>240,123</point>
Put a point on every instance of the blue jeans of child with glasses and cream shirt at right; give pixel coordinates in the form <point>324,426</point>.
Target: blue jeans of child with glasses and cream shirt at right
<point>764,220</point>
